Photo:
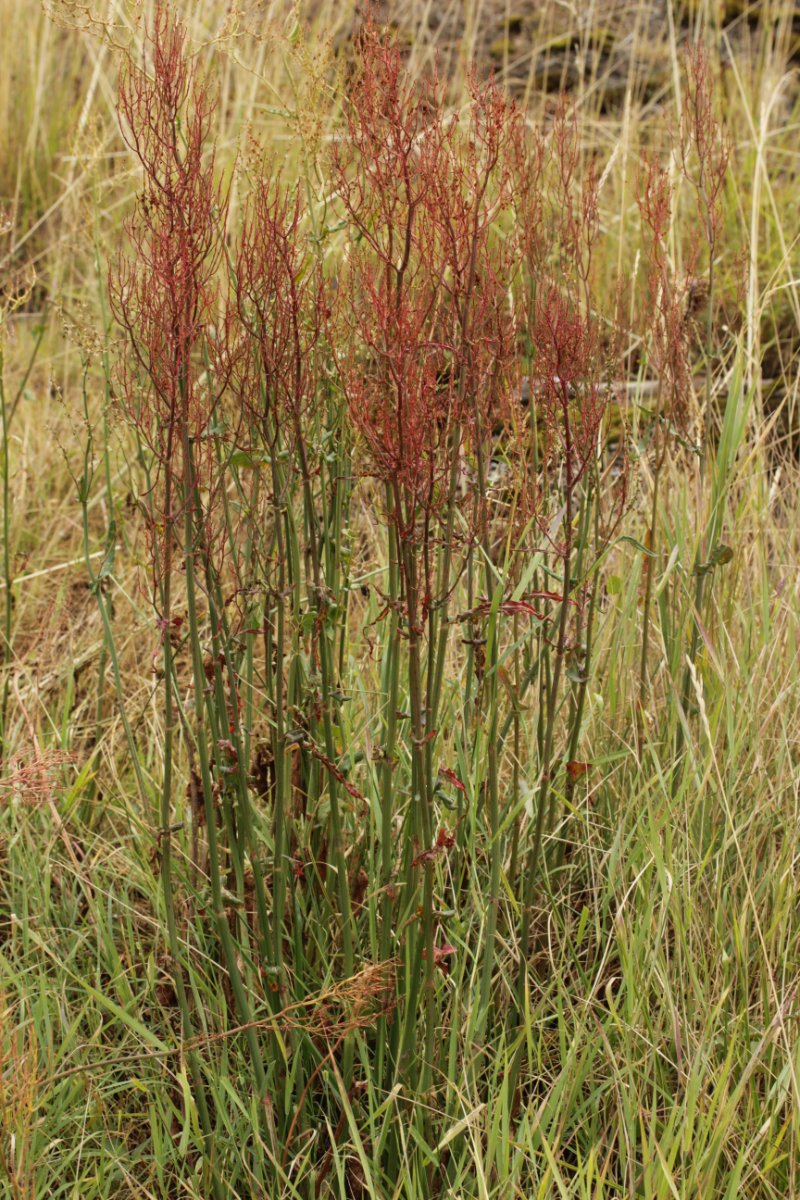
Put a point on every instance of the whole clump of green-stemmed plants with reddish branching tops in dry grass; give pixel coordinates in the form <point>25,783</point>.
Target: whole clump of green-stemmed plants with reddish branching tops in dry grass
<point>440,399</point>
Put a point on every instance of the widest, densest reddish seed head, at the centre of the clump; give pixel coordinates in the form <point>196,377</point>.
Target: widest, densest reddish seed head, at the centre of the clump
<point>424,304</point>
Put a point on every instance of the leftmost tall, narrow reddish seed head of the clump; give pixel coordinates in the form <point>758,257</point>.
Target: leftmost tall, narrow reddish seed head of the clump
<point>165,286</point>
